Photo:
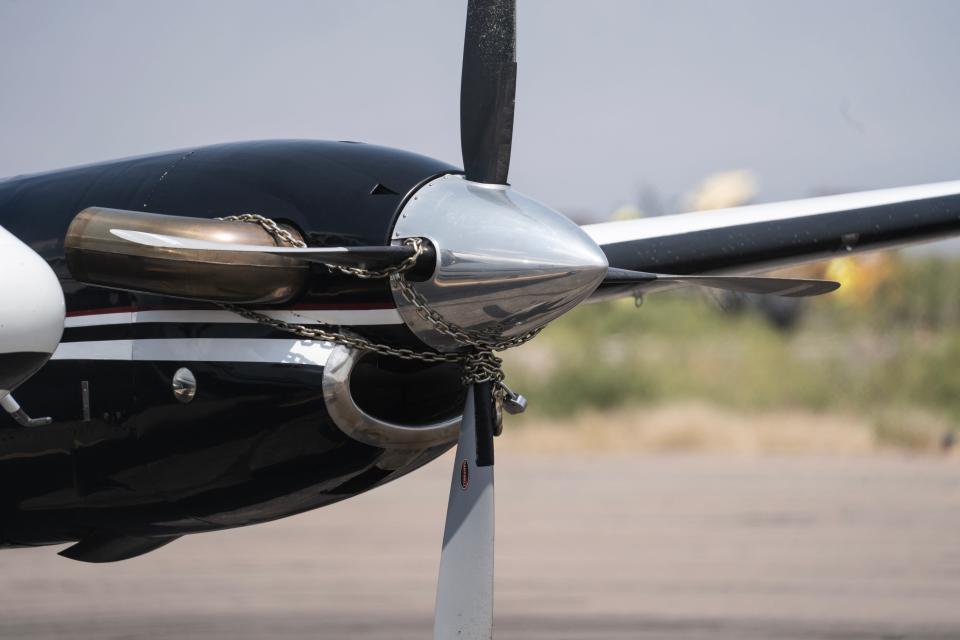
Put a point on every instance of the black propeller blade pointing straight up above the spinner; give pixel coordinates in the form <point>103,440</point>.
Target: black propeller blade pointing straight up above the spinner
<point>488,86</point>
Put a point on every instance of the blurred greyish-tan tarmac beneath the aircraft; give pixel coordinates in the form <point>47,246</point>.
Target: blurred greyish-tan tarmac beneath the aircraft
<point>605,547</point>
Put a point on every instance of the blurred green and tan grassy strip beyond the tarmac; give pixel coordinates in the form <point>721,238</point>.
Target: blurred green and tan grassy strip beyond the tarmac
<point>683,375</point>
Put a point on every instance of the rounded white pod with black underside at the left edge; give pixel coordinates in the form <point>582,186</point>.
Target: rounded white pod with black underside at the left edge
<point>31,312</point>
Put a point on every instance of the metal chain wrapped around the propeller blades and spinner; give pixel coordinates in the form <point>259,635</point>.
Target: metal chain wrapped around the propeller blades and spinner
<point>479,361</point>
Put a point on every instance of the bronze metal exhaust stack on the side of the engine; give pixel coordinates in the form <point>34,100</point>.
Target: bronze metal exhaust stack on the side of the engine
<point>97,255</point>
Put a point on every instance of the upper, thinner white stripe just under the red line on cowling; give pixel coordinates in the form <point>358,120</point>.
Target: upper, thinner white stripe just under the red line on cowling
<point>350,317</point>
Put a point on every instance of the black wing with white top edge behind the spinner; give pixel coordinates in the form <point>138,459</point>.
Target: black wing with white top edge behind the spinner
<point>760,237</point>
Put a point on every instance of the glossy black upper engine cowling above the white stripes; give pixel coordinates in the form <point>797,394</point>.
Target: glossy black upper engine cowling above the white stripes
<point>328,190</point>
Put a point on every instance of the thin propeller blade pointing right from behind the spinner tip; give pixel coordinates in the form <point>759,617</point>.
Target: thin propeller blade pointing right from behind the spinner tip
<point>788,287</point>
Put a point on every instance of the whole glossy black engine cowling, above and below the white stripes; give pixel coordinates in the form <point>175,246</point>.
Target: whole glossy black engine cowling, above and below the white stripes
<point>257,443</point>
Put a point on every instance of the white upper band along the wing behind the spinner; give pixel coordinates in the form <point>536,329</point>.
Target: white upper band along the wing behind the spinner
<point>625,231</point>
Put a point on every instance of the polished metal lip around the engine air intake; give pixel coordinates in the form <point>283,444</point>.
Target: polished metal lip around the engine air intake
<point>363,427</point>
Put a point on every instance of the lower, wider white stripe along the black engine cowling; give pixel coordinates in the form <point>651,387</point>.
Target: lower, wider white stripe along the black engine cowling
<point>199,350</point>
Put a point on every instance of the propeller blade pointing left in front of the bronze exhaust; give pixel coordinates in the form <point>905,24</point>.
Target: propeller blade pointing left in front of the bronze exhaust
<point>345,256</point>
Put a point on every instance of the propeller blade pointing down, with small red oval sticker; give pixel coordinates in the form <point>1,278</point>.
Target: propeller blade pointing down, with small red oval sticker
<point>464,607</point>
